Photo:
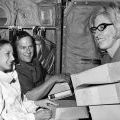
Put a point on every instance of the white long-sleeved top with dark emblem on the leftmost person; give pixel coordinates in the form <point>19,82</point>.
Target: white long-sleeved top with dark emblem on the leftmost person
<point>12,106</point>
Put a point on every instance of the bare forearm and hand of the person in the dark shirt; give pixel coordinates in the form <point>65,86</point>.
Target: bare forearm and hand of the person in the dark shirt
<point>42,90</point>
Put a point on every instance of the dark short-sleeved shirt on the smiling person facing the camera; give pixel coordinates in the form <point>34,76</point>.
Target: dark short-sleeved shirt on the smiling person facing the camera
<point>30,75</point>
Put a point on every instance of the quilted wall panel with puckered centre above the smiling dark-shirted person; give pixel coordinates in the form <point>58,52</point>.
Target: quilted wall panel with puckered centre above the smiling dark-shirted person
<point>27,13</point>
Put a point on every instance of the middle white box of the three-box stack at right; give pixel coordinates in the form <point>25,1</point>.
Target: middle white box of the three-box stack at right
<point>98,95</point>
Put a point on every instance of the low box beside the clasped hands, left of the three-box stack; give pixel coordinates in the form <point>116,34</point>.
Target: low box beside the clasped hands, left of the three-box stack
<point>68,110</point>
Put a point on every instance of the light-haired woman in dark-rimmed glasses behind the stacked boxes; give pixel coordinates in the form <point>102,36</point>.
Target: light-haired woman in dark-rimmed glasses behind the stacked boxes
<point>105,28</point>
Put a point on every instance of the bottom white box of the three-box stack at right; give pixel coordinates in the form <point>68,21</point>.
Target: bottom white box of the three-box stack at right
<point>105,112</point>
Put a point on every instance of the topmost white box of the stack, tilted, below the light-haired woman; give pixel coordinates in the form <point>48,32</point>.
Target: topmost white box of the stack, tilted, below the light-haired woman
<point>107,73</point>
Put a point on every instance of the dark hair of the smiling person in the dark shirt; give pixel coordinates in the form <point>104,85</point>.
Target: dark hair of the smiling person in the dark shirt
<point>17,36</point>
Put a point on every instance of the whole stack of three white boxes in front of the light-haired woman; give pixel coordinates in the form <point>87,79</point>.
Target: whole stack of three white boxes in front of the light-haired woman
<point>99,88</point>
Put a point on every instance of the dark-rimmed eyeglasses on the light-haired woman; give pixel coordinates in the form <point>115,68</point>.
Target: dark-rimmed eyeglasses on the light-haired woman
<point>100,27</point>
